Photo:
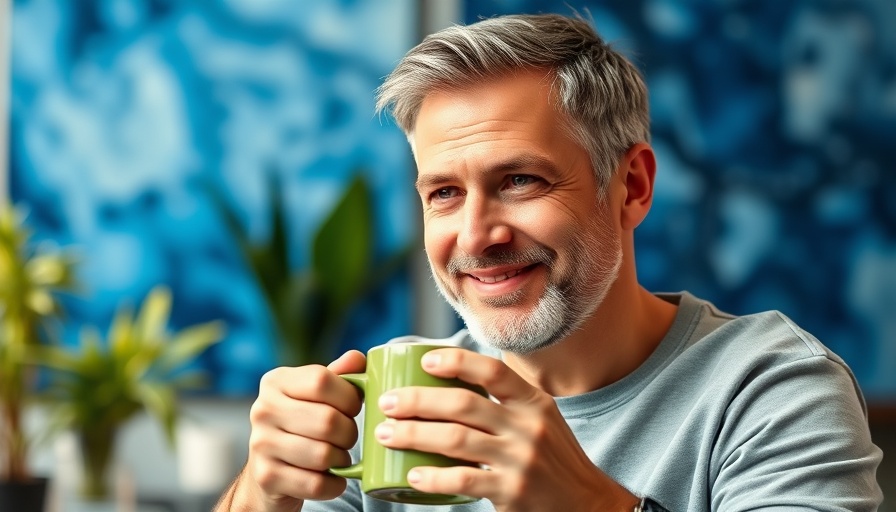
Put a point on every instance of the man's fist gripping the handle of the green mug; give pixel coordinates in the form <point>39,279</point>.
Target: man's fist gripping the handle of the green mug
<point>302,425</point>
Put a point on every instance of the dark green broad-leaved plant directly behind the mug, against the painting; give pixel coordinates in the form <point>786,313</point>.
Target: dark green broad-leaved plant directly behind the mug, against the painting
<point>310,305</point>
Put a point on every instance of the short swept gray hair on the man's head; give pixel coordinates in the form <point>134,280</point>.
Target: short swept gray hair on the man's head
<point>599,92</point>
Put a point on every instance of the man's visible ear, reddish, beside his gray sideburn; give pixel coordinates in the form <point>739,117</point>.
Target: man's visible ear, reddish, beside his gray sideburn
<point>637,170</point>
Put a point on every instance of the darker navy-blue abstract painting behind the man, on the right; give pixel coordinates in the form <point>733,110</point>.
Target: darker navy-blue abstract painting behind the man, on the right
<point>774,124</point>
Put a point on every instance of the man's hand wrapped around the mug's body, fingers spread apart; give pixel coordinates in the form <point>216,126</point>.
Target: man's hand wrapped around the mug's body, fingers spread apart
<point>530,458</point>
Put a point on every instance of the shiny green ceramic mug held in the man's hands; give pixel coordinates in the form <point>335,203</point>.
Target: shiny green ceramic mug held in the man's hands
<point>383,471</point>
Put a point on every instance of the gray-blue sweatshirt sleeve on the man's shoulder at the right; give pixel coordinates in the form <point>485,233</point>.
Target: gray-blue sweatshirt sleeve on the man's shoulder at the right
<point>796,436</point>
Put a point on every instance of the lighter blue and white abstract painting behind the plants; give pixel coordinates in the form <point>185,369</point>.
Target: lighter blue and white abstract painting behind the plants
<point>123,110</point>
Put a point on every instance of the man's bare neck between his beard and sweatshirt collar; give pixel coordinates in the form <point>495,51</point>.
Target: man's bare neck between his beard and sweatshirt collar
<point>613,342</point>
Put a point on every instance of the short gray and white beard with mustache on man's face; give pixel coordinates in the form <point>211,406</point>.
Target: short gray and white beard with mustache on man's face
<point>569,299</point>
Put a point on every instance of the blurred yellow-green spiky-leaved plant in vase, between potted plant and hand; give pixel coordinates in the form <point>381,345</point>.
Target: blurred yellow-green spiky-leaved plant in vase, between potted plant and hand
<point>140,366</point>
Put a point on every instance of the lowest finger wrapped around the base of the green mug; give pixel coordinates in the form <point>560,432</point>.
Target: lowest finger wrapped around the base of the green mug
<point>463,480</point>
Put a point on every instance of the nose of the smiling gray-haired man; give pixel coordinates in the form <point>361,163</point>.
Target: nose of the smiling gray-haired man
<point>484,225</point>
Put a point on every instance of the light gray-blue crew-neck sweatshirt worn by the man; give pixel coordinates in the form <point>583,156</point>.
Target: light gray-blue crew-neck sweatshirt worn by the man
<point>728,414</point>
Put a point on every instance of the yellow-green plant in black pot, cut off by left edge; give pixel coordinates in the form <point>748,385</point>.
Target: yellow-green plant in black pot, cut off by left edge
<point>30,277</point>
